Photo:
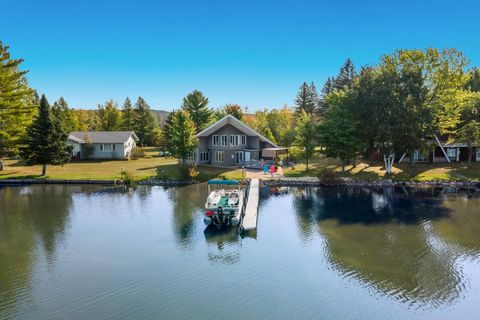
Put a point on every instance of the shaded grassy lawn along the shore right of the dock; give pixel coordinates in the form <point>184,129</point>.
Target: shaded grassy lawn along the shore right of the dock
<point>364,171</point>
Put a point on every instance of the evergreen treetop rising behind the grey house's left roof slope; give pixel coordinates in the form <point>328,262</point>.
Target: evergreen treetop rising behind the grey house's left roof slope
<point>197,106</point>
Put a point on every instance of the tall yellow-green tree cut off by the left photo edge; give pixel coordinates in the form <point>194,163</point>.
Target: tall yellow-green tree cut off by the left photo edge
<point>17,104</point>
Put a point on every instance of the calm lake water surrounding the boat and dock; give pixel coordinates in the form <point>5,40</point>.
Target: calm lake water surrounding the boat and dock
<point>109,253</point>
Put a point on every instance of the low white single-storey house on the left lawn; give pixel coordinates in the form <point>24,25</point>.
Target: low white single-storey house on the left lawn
<point>103,144</point>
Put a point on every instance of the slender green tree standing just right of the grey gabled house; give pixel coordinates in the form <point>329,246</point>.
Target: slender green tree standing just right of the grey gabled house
<point>306,134</point>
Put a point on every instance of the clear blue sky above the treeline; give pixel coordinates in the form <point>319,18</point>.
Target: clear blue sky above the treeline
<point>254,53</point>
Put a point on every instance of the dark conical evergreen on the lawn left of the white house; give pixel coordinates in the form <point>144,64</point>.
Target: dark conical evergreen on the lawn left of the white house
<point>46,141</point>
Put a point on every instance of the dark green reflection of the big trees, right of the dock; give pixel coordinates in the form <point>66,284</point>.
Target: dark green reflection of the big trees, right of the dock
<point>390,239</point>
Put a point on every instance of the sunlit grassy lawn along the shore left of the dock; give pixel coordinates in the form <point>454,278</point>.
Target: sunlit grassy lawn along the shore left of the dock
<point>139,169</point>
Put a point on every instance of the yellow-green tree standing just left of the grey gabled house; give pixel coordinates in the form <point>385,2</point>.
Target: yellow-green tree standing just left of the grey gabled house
<point>182,133</point>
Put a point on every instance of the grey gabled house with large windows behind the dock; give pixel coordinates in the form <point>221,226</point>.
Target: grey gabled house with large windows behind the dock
<point>230,142</point>
